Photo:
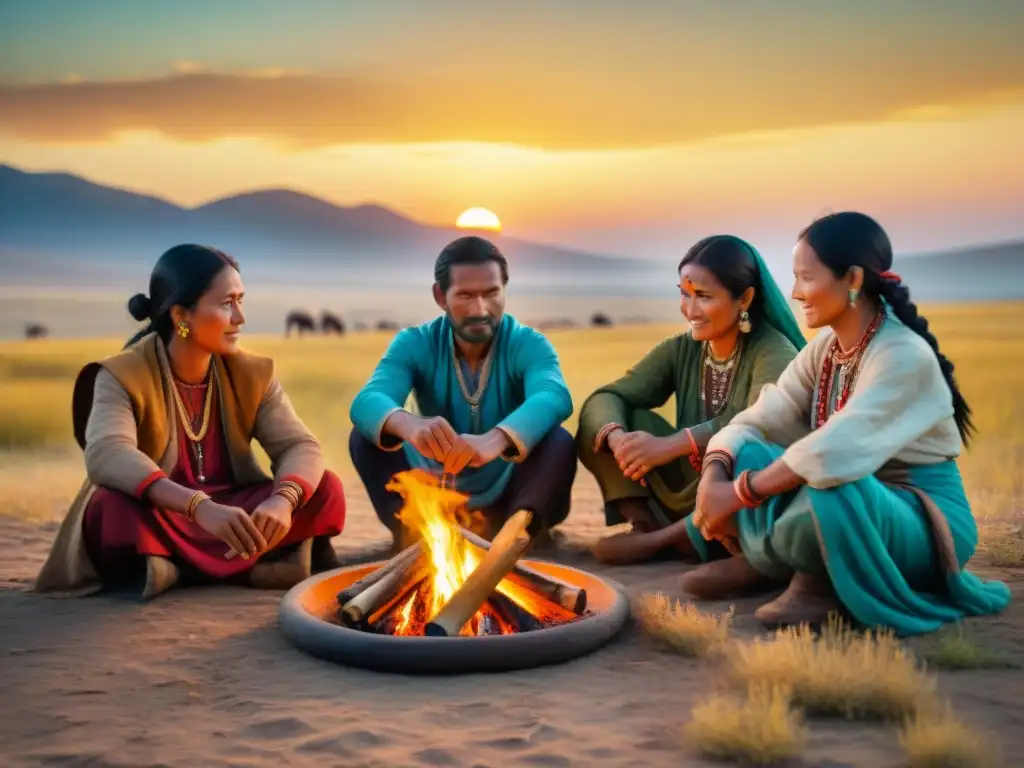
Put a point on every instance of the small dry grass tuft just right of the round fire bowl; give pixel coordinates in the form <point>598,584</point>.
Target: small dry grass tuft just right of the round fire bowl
<point>682,627</point>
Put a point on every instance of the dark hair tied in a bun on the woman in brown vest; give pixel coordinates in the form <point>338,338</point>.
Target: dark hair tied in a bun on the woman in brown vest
<point>181,277</point>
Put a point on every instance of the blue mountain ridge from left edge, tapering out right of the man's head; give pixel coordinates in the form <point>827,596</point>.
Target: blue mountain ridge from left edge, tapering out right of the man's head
<point>62,220</point>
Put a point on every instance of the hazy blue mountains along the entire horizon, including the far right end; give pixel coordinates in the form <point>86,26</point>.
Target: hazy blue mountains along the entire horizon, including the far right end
<point>57,229</point>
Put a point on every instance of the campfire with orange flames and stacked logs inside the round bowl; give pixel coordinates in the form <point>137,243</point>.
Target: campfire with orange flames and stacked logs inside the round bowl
<point>454,582</point>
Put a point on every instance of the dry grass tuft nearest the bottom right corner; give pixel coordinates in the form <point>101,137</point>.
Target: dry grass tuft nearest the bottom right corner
<point>938,740</point>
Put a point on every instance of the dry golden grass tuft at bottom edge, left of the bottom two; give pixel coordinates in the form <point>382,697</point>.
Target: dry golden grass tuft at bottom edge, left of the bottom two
<point>761,728</point>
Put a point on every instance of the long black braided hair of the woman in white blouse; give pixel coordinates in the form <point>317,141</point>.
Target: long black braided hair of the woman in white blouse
<point>847,240</point>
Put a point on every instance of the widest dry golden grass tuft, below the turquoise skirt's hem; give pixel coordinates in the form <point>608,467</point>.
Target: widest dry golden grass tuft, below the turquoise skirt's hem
<point>869,676</point>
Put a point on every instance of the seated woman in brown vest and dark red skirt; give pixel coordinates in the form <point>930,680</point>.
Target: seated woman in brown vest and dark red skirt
<point>174,491</point>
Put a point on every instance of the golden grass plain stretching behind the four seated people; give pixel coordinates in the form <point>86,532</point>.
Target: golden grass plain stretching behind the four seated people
<point>322,375</point>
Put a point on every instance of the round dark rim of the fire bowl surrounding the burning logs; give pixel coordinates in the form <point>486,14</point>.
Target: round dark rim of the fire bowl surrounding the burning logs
<point>307,612</point>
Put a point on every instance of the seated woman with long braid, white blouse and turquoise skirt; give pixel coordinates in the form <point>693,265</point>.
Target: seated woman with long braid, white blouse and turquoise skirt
<point>842,480</point>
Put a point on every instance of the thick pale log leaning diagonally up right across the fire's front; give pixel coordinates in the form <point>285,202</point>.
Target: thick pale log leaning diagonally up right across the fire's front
<point>510,543</point>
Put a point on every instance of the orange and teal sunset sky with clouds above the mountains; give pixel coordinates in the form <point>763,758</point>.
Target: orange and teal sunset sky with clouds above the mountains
<point>617,130</point>
